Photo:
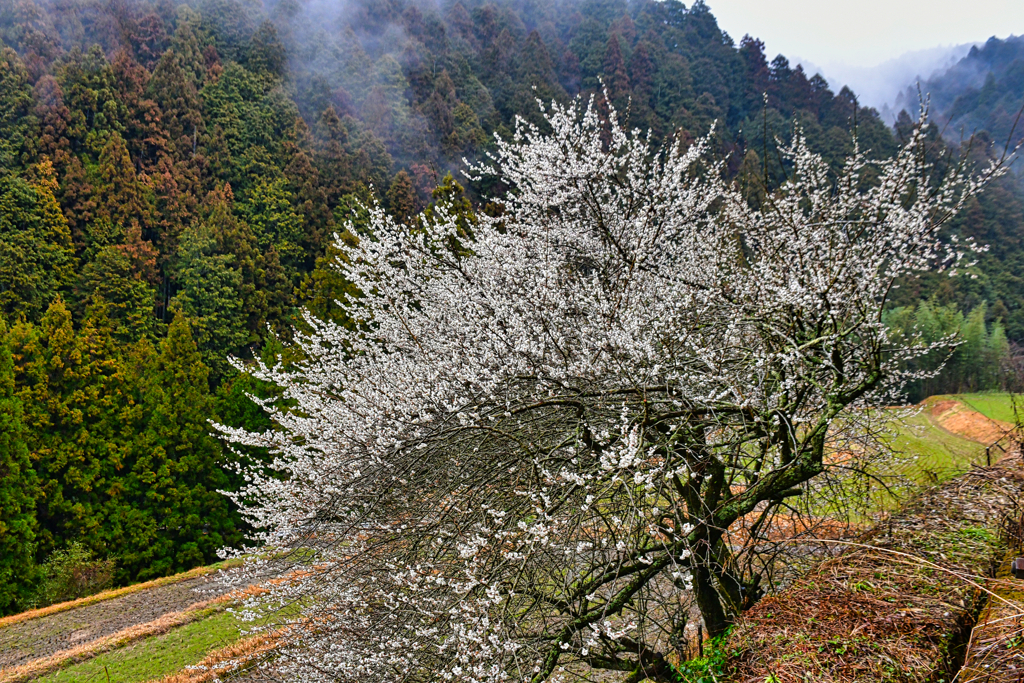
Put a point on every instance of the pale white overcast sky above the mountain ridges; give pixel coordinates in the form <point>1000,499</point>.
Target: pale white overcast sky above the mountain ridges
<point>865,33</point>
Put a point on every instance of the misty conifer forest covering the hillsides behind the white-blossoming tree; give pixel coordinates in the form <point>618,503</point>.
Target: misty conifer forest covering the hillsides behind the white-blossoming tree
<point>173,176</point>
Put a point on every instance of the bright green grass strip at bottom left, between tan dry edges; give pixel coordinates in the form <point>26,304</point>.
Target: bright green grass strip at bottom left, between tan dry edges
<point>157,657</point>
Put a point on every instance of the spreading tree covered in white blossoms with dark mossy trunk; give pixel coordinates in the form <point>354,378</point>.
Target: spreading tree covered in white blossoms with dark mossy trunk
<point>526,456</point>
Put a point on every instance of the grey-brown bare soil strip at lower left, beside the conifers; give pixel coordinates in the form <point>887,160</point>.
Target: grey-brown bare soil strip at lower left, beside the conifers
<point>45,636</point>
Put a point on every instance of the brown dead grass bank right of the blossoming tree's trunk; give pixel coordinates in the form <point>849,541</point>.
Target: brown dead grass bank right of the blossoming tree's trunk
<point>899,605</point>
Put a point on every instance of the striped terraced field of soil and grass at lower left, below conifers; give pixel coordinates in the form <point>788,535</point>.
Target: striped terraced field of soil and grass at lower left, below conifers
<point>151,633</point>
